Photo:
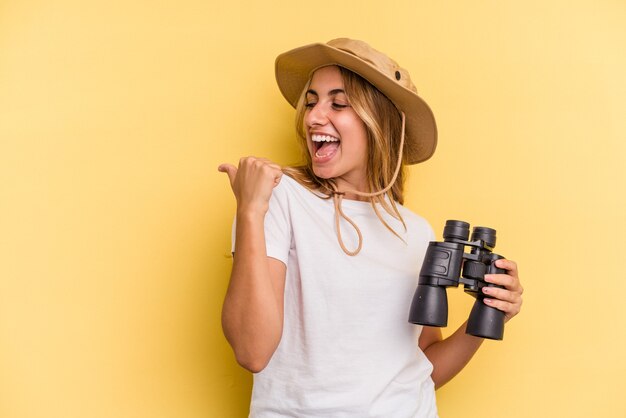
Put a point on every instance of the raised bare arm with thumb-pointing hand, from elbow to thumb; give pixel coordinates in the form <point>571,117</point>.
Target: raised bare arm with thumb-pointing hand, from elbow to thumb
<point>252,315</point>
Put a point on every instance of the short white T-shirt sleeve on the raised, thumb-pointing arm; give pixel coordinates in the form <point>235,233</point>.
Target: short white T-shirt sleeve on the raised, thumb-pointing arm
<point>277,225</point>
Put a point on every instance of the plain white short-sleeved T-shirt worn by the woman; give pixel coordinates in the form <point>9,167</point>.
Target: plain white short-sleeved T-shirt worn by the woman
<point>347,348</point>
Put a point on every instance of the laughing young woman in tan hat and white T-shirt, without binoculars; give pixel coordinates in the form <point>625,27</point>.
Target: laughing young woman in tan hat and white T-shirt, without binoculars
<point>326,258</point>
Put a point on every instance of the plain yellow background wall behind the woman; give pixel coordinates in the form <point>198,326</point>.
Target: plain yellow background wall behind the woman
<point>115,224</point>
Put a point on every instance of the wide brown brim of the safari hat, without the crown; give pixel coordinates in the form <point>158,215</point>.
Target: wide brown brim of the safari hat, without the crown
<point>294,69</point>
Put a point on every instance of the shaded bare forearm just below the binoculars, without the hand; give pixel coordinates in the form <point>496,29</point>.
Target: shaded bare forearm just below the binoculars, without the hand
<point>451,355</point>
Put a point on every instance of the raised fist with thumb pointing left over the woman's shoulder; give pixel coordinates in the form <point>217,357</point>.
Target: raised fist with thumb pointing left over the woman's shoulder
<point>252,183</point>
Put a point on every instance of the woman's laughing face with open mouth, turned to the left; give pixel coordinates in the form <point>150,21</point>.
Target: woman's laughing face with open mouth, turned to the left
<point>336,136</point>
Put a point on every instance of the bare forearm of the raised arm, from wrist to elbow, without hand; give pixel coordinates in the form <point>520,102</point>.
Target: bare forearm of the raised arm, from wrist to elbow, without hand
<point>252,315</point>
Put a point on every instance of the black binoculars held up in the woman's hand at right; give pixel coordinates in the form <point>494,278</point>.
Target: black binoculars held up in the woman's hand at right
<point>445,265</point>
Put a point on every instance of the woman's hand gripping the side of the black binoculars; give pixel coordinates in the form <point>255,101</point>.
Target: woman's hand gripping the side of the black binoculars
<point>509,299</point>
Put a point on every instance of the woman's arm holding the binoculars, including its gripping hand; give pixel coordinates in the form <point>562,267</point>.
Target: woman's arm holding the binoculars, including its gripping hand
<point>451,355</point>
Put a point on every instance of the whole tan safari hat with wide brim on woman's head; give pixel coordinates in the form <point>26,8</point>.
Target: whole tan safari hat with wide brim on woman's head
<point>294,69</point>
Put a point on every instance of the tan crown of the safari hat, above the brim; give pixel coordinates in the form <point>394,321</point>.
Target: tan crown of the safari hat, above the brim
<point>376,59</point>
